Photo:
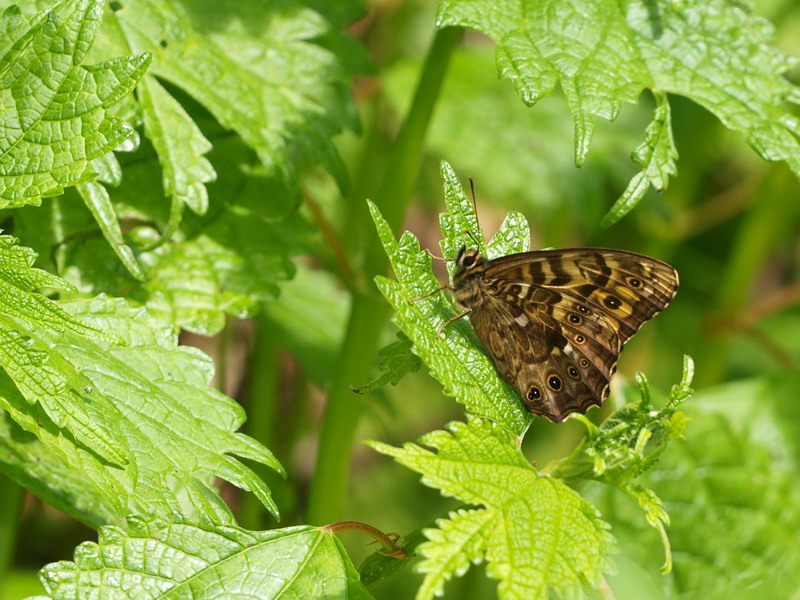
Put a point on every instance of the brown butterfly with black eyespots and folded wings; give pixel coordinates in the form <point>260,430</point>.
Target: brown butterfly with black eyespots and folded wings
<point>554,321</point>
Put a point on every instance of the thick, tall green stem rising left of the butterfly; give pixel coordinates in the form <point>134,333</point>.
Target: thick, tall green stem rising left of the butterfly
<point>368,311</point>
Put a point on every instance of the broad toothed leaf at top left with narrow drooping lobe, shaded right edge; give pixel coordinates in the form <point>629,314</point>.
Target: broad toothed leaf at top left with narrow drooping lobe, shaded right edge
<point>259,73</point>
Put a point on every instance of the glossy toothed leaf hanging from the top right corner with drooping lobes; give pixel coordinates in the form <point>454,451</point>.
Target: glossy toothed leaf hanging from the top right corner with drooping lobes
<point>606,53</point>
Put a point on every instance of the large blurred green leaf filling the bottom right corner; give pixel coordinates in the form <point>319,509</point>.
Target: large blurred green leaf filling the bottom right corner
<point>734,506</point>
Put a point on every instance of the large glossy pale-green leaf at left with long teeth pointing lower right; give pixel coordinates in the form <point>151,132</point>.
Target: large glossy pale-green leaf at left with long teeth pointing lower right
<point>176,431</point>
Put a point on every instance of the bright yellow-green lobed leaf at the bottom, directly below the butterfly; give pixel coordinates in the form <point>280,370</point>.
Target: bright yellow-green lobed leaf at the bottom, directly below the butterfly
<point>538,536</point>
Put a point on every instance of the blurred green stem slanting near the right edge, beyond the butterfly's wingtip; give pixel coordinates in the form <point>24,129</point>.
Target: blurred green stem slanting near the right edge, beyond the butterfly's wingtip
<point>765,226</point>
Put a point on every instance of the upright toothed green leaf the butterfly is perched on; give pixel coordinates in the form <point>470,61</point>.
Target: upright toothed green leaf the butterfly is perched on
<point>455,357</point>
